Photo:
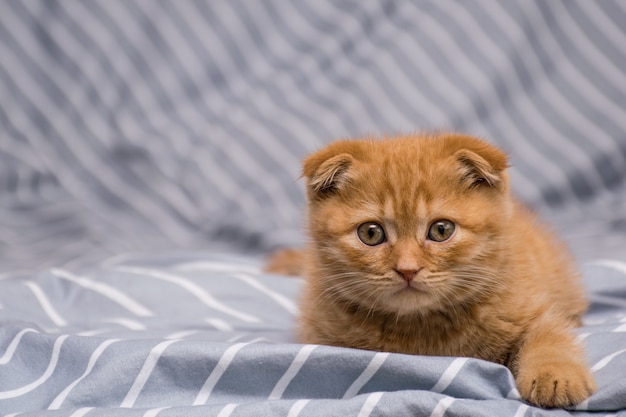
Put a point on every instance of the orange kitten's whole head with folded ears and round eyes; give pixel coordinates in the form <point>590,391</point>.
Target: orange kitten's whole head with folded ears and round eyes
<point>407,224</point>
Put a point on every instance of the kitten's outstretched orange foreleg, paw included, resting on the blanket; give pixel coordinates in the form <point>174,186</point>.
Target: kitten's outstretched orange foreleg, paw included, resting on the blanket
<point>550,368</point>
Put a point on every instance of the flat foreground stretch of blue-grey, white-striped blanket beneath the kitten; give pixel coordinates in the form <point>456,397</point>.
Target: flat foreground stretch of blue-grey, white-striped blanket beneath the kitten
<point>192,334</point>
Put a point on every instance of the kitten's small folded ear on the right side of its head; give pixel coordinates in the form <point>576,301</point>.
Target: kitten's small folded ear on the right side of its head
<point>486,169</point>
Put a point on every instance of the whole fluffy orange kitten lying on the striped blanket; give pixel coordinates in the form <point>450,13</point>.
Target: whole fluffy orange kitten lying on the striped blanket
<point>418,247</point>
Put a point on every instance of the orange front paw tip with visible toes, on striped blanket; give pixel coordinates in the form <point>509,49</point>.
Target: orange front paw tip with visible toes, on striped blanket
<point>555,383</point>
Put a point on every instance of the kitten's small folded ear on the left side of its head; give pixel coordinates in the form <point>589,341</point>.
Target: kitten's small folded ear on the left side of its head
<point>326,174</point>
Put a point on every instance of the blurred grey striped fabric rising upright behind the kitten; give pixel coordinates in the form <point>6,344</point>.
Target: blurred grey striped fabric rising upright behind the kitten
<point>146,126</point>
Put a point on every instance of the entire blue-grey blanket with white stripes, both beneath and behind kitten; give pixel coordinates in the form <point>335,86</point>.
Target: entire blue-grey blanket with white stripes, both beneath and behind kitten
<point>149,156</point>
